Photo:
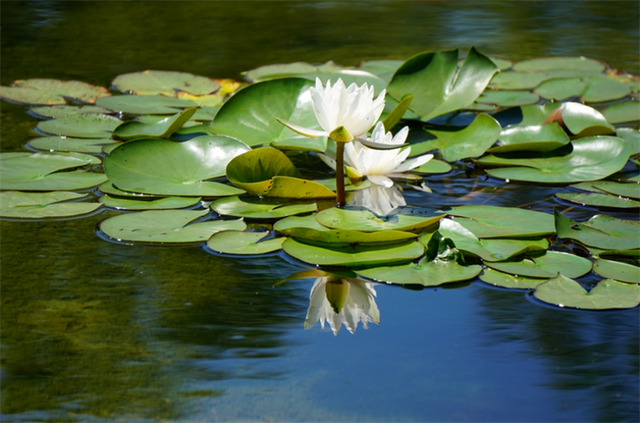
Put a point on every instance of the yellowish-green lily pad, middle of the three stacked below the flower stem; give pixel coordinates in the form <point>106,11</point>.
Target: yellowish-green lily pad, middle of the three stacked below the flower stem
<point>308,229</point>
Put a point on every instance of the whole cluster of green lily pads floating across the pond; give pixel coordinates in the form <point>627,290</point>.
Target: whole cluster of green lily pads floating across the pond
<point>190,159</point>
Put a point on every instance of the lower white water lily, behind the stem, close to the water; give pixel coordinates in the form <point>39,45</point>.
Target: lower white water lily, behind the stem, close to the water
<point>379,166</point>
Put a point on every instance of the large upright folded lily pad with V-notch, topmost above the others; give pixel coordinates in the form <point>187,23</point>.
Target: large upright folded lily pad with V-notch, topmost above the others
<point>436,83</point>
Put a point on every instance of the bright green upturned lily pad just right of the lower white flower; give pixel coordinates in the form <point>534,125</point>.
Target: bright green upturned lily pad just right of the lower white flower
<point>471,141</point>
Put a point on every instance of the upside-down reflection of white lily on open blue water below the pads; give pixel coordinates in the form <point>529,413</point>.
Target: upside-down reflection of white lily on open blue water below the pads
<point>339,300</point>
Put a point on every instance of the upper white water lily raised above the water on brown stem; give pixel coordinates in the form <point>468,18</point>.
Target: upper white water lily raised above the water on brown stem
<point>337,107</point>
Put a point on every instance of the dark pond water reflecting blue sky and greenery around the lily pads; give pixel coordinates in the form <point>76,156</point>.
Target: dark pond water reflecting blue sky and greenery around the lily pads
<point>98,331</point>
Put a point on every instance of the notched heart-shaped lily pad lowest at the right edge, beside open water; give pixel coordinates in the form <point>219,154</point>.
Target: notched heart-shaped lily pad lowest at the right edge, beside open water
<point>607,294</point>
